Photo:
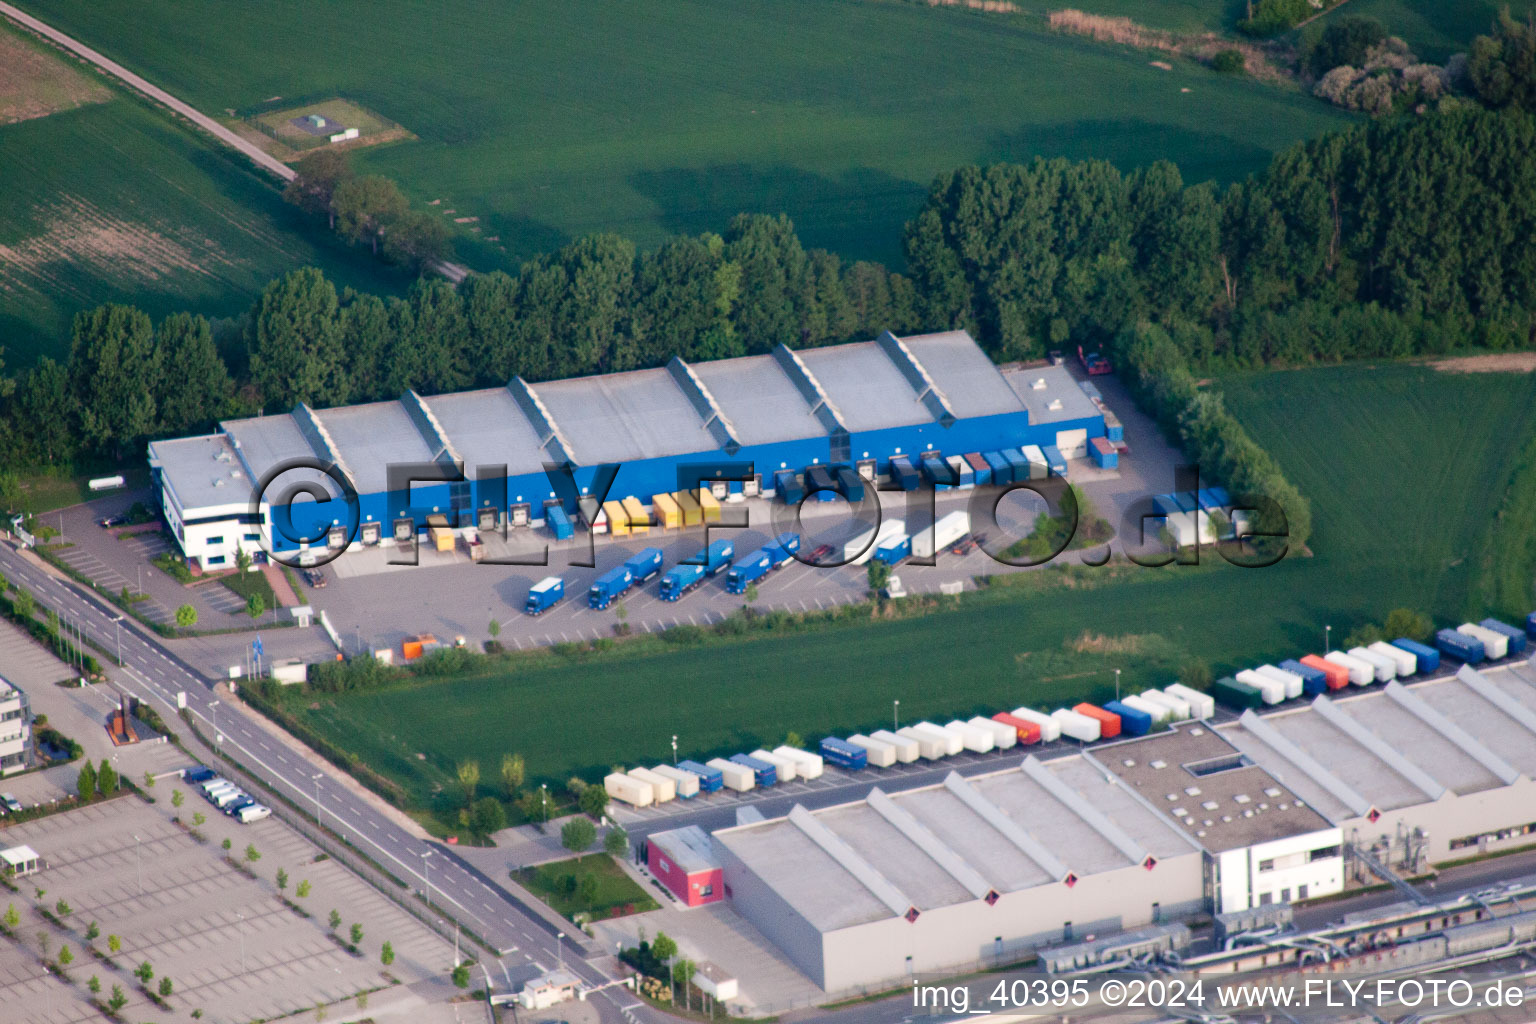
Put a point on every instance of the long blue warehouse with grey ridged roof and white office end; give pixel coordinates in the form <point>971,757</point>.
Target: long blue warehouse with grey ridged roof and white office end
<point>858,405</point>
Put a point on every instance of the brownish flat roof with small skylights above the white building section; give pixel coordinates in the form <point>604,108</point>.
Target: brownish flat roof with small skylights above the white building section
<point>1251,805</point>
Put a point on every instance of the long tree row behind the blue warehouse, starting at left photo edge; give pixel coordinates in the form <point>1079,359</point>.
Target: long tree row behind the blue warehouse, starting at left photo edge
<point>594,306</point>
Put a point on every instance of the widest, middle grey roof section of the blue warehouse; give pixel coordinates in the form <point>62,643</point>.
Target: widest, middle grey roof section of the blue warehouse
<point>626,417</point>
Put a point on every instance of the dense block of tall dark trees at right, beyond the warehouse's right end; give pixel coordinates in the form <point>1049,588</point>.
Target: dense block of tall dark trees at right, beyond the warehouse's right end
<point>1388,239</point>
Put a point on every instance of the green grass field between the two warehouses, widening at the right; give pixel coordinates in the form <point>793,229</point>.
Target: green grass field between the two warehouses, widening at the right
<point>1405,467</point>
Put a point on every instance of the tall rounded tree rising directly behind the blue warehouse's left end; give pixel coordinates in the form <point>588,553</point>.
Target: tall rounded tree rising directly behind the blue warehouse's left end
<point>296,343</point>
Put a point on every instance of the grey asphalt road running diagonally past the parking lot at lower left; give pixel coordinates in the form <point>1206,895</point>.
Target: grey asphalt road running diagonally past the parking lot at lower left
<point>153,675</point>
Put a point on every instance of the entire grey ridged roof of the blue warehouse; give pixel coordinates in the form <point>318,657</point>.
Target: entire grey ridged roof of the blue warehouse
<point>631,417</point>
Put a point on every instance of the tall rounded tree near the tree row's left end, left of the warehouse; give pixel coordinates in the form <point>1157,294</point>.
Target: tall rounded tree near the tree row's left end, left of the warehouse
<point>114,375</point>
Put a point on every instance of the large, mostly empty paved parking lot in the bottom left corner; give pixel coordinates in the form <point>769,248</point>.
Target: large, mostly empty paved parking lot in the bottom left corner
<point>233,950</point>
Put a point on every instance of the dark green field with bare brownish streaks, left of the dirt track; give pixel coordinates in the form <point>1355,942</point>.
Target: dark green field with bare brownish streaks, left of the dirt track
<point>113,203</point>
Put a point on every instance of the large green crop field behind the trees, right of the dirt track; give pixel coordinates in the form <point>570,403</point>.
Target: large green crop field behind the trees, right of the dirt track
<point>549,121</point>
